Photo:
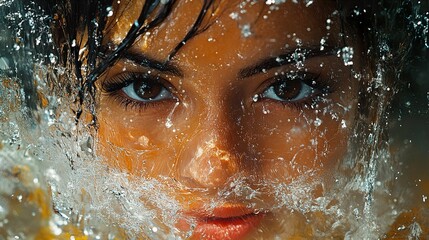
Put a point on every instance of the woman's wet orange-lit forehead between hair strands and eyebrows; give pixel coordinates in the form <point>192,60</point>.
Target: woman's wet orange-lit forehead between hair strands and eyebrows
<point>232,27</point>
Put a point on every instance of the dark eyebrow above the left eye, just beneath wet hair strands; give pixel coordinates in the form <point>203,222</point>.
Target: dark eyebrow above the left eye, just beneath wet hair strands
<point>145,61</point>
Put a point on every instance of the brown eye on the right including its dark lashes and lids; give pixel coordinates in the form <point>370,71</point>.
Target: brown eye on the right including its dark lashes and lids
<point>295,89</point>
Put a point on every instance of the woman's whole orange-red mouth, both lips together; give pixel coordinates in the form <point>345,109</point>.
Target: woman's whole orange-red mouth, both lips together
<point>226,222</point>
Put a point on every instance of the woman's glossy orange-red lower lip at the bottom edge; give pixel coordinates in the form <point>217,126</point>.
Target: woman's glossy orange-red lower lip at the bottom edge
<point>226,228</point>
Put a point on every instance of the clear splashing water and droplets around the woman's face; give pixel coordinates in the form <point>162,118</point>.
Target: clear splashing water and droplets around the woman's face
<point>47,149</point>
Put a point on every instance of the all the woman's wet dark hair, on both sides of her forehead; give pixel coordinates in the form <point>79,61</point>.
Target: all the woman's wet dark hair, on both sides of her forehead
<point>372,21</point>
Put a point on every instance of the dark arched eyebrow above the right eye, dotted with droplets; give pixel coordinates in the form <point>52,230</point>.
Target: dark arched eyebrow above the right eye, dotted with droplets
<point>285,59</point>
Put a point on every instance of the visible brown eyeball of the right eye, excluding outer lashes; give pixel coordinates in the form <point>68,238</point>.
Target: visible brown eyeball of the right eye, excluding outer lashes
<point>294,89</point>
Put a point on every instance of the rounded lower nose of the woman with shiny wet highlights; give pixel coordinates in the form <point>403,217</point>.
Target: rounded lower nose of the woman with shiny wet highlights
<point>208,160</point>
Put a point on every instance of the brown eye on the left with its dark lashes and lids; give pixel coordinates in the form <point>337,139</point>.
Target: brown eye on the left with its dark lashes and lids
<point>138,89</point>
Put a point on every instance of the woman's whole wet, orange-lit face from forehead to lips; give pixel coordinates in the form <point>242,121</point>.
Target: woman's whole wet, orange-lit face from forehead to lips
<point>244,125</point>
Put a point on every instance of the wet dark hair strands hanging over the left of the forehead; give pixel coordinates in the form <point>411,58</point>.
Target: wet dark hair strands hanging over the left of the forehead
<point>77,17</point>
